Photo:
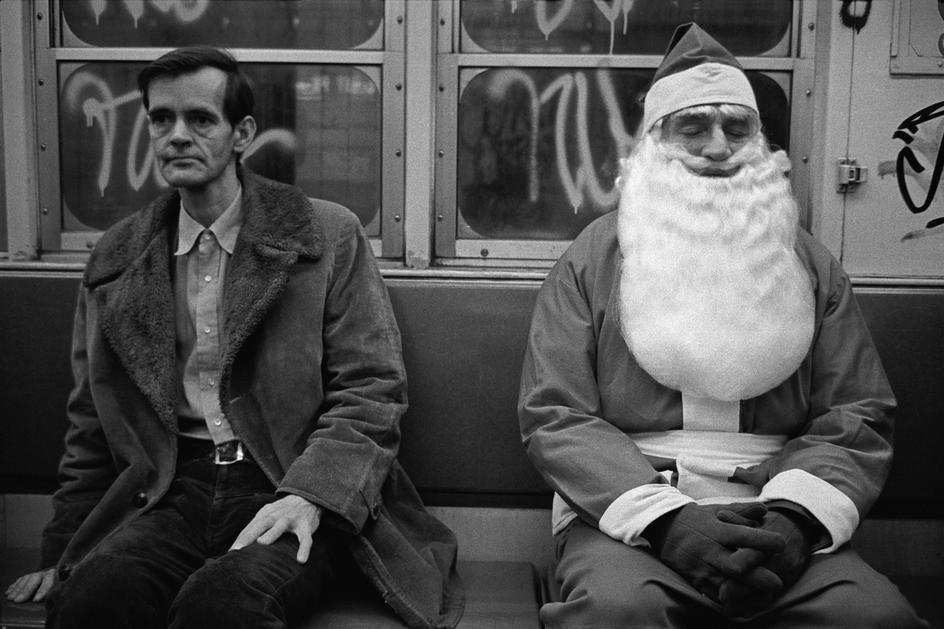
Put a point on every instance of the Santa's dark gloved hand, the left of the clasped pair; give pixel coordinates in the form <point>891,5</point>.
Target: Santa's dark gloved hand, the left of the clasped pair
<point>699,542</point>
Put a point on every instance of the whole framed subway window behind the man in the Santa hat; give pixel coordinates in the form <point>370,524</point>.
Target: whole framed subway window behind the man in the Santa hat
<point>541,100</point>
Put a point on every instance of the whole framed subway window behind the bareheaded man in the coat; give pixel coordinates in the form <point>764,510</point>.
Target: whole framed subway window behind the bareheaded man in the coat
<point>321,72</point>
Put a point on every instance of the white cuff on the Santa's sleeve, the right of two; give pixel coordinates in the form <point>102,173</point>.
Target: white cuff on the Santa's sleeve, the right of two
<point>834,509</point>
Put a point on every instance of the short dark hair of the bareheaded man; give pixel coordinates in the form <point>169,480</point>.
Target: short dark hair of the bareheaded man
<point>238,100</point>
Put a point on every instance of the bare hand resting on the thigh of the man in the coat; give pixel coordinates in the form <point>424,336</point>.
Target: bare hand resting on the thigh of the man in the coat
<point>289,514</point>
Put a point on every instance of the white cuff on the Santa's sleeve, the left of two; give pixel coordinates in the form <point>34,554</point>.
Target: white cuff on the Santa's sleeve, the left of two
<point>629,515</point>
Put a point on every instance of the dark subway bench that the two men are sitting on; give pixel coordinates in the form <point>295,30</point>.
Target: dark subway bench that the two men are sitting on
<point>463,343</point>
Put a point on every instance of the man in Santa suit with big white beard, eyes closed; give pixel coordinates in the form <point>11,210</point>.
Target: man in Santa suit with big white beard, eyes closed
<point>701,391</point>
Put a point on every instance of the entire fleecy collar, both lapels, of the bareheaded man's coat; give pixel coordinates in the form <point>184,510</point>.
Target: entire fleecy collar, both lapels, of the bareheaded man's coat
<point>128,278</point>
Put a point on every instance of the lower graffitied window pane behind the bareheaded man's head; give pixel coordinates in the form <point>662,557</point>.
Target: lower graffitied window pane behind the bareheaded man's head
<point>319,129</point>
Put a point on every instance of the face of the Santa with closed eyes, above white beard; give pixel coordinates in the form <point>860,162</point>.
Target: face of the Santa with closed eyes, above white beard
<point>711,137</point>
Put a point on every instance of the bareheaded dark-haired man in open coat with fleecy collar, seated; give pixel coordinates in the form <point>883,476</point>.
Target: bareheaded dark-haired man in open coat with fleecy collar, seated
<point>238,387</point>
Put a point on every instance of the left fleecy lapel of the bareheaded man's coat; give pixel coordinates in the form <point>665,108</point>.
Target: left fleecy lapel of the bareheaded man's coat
<point>132,289</point>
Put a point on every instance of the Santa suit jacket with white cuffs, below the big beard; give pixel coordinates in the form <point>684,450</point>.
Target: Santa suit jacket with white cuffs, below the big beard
<point>583,396</point>
